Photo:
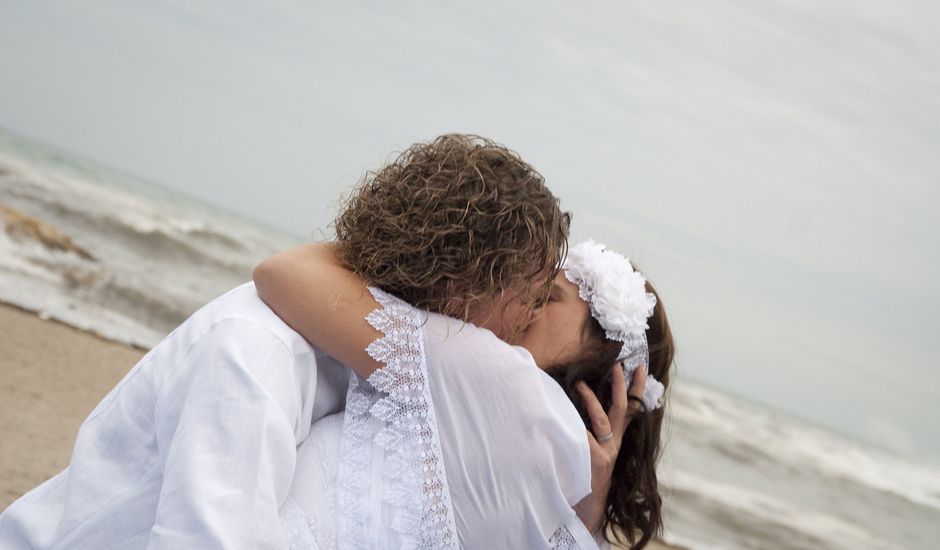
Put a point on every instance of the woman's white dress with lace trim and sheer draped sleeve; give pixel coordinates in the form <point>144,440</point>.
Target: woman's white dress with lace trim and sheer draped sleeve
<point>458,441</point>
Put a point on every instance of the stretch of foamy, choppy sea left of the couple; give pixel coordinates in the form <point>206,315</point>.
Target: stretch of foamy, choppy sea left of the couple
<point>107,258</point>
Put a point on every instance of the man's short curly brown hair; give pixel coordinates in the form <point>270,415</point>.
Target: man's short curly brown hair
<point>451,224</point>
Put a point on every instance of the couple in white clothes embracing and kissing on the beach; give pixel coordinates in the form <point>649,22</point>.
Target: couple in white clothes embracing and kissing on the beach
<point>425,381</point>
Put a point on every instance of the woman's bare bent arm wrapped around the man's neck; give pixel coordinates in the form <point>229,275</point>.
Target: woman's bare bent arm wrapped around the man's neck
<point>310,289</point>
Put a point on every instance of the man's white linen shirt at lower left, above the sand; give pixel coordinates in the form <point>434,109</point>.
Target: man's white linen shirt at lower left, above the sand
<point>195,447</point>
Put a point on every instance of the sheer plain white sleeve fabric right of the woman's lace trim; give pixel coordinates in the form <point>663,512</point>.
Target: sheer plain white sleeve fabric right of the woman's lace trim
<point>516,452</point>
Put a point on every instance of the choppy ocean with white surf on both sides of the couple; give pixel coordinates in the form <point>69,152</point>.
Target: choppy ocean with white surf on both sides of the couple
<point>140,258</point>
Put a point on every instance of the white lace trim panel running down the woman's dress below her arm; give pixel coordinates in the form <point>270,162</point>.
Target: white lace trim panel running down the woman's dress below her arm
<point>392,409</point>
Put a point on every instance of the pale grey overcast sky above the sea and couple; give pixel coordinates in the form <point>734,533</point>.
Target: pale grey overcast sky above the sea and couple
<point>771,165</point>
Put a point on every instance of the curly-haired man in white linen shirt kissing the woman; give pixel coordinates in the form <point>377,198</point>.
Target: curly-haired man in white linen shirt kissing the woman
<point>196,446</point>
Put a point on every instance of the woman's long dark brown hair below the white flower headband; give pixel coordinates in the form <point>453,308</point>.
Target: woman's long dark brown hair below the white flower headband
<point>634,507</point>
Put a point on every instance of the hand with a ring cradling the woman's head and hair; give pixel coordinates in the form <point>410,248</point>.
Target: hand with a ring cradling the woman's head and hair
<point>608,430</point>
